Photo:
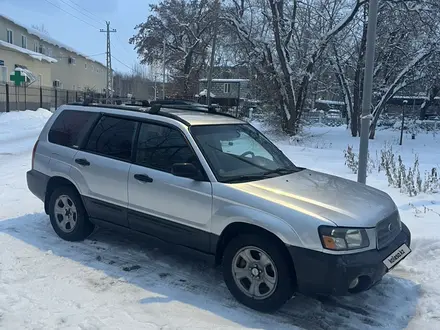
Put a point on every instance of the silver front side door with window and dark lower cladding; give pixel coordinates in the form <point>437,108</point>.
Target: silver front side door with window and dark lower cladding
<point>172,208</point>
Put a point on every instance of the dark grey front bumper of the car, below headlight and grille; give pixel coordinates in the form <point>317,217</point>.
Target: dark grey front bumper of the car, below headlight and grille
<point>329,274</point>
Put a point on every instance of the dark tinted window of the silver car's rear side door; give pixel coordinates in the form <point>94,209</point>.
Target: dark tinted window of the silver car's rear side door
<point>112,137</point>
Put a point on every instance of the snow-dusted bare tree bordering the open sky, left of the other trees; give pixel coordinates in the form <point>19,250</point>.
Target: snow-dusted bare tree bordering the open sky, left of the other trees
<point>184,30</point>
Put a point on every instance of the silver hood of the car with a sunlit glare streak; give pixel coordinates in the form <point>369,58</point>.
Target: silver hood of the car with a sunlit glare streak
<point>342,201</point>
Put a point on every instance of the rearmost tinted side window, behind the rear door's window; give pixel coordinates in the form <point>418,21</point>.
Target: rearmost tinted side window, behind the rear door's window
<point>69,126</point>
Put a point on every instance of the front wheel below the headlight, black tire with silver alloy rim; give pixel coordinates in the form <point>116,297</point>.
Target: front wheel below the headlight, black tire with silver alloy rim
<point>281,286</point>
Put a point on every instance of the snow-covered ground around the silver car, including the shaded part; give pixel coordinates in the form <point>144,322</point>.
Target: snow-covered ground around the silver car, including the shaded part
<point>115,282</point>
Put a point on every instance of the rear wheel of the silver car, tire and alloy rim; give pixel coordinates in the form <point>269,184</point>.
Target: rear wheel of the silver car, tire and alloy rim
<point>75,226</point>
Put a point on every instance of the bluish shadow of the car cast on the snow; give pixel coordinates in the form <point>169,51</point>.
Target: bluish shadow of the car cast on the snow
<point>174,276</point>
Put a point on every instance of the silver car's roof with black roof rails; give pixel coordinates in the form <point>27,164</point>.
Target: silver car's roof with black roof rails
<point>186,116</point>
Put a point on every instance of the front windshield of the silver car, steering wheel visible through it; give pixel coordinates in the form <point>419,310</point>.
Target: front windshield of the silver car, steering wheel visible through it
<point>239,153</point>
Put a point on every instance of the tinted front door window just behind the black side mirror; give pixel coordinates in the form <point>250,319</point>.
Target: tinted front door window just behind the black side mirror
<point>160,147</point>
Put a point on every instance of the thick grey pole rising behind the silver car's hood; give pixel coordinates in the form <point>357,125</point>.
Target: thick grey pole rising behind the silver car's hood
<point>368,91</point>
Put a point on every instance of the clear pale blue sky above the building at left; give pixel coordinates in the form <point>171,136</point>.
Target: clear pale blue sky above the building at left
<point>82,32</point>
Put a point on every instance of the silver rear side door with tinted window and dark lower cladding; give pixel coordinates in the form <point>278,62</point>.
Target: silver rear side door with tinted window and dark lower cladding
<point>101,168</point>
